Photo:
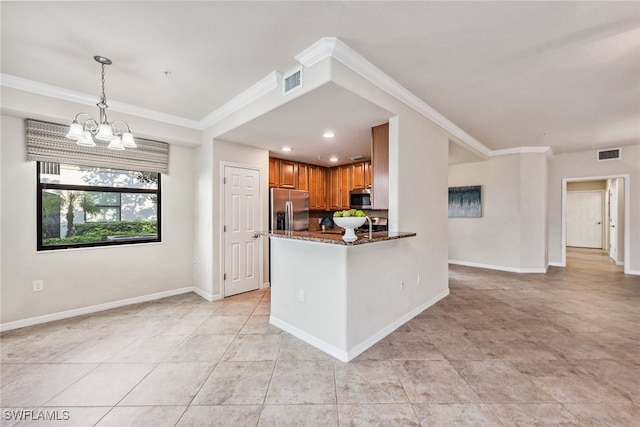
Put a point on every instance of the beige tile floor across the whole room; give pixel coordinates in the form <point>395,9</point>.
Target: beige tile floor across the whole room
<point>502,350</point>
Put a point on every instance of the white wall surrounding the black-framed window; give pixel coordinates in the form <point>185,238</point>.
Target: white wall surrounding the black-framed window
<point>79,278</point>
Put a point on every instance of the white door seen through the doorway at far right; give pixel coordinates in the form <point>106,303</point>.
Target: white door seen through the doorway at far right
<point>584,219</point>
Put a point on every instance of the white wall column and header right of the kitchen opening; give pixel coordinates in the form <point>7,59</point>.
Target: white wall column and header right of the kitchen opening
<point>418,153</point>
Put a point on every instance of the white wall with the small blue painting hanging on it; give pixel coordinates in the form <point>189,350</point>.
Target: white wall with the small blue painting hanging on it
<point>511,234</point>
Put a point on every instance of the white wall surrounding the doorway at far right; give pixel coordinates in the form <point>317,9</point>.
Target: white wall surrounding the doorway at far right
<point>584,165</point>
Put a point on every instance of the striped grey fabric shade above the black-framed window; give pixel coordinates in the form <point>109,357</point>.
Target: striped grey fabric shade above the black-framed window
<point>46,142</point>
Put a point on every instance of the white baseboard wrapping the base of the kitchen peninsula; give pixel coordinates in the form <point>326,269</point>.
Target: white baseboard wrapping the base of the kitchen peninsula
<point>352,353</point>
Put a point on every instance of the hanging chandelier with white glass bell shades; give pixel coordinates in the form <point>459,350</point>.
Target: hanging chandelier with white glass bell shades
<point>116,133</point>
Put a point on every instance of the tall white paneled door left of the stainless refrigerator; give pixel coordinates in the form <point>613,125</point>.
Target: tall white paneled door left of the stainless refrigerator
<point>242,221</point>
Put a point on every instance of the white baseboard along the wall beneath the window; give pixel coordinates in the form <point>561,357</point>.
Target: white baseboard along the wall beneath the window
<point>94,308</point>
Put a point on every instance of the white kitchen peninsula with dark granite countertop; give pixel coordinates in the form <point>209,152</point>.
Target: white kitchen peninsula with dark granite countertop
<point>341,297</point>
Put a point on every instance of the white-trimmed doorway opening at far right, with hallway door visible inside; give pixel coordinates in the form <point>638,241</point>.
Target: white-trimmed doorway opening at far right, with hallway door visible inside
<point>595,216</point>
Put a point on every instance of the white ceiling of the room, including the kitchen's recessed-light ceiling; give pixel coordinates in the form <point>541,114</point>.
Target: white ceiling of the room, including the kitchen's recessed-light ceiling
<point>510,74</point>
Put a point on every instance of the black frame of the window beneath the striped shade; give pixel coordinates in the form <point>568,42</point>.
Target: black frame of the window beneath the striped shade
<point>41,187</point>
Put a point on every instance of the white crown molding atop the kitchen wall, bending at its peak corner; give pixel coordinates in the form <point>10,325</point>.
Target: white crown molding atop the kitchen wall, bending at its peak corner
<point>333,47</point>
